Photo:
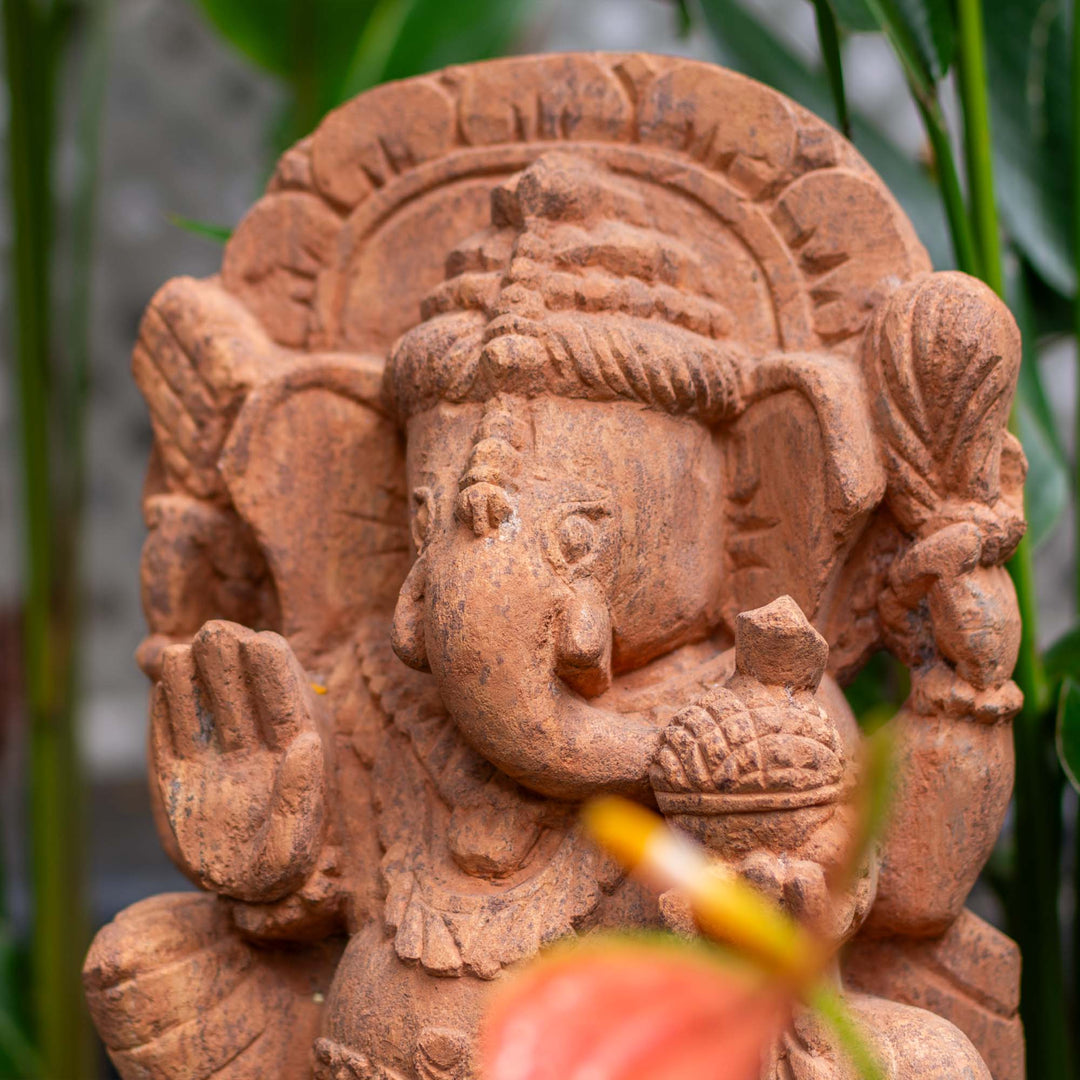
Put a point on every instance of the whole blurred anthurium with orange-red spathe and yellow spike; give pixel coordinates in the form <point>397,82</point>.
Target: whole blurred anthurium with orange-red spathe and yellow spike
<point>640,1008</point>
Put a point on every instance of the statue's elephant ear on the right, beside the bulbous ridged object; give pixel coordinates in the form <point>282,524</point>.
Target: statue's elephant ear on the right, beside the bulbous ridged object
<point>804,478</point>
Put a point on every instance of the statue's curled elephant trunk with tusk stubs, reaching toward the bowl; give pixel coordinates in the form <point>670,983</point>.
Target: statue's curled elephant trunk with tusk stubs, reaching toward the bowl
<point>511,645</point>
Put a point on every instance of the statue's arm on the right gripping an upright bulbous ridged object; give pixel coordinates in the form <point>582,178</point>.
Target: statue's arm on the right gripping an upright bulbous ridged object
<point>942,358</point>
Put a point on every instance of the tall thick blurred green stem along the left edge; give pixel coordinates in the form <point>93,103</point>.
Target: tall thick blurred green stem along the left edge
<point>33,40</point>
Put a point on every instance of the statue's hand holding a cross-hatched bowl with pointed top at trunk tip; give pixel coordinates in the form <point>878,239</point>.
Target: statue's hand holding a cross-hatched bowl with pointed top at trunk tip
<point>758,773</point>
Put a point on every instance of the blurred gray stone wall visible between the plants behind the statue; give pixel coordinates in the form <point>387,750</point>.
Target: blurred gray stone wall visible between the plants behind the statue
<point>185,132</point>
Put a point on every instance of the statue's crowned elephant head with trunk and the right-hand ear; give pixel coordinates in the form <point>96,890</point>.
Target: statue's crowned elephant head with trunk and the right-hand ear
<point>587,440</point>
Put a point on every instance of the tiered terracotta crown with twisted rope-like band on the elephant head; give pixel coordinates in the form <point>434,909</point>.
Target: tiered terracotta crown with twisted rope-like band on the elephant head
<point>572,291</point>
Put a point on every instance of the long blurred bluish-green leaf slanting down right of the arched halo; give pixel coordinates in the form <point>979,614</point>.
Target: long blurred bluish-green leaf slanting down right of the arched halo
<point>747,46</point>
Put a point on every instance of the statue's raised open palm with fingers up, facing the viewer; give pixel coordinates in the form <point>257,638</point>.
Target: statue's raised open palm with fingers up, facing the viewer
<point>239,762</point>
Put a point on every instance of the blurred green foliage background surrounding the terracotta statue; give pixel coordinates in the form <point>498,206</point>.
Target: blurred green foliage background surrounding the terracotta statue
<point>991,182</point>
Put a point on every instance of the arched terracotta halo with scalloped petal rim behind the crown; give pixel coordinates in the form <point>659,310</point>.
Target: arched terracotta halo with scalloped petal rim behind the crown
<point>360,217</point>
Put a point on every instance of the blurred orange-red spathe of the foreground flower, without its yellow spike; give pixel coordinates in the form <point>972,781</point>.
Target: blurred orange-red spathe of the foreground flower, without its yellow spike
<point>633,1009</point>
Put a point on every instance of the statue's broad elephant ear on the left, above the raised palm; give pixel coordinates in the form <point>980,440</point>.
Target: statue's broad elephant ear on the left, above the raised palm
<point>317,469</point>
